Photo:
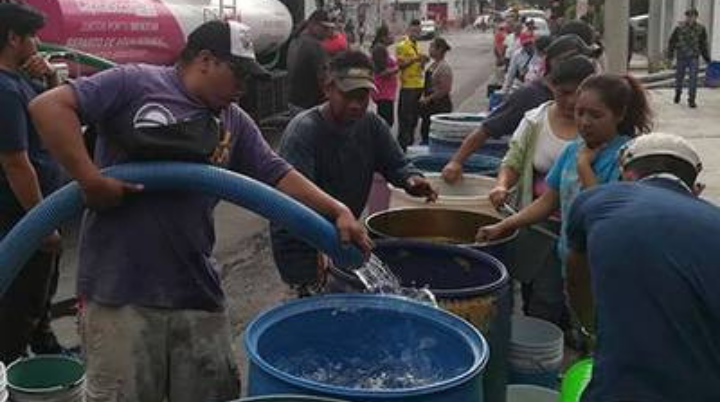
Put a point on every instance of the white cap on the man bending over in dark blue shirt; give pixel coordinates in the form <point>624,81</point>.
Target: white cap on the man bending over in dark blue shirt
<point>654,144</point>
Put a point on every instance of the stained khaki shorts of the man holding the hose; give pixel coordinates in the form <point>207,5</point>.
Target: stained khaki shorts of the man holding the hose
<point>139,354</point>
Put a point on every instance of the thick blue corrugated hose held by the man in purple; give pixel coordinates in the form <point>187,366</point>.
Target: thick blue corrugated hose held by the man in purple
<point>26,236</point>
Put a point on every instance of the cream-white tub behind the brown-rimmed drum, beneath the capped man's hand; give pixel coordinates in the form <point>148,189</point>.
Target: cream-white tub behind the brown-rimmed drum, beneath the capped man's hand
<point>469,194</point>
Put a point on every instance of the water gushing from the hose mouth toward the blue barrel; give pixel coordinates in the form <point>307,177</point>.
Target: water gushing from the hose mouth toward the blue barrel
<point>377,277</point>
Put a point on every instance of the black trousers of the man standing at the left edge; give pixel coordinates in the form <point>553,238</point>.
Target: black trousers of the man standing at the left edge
<point>25,304</point>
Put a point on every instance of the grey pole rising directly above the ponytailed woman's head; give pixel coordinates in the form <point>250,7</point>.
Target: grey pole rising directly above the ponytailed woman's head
<point>617,18</point>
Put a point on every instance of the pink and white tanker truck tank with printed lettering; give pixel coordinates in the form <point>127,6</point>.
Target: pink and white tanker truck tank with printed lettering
<point>154,31</point>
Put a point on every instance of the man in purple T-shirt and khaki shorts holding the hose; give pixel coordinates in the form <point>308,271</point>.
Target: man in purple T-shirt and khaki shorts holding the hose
<point>154,325</point>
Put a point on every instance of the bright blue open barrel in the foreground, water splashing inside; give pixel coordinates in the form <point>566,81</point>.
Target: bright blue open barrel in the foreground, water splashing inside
<point>365,348</point>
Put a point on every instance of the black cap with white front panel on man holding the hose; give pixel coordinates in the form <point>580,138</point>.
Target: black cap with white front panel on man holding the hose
<point>228,40</point>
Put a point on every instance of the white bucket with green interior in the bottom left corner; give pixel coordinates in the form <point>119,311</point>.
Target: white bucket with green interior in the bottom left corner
<point>46,378</point>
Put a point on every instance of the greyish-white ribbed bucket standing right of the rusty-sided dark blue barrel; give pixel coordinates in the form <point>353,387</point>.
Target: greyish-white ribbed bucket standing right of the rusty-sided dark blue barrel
<point>535,352</point>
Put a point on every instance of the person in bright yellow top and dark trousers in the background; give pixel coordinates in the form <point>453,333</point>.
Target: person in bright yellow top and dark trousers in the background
<point>412,63</point>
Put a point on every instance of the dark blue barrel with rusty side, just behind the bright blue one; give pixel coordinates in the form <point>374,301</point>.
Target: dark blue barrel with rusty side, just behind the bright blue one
<point>465,281</point>
